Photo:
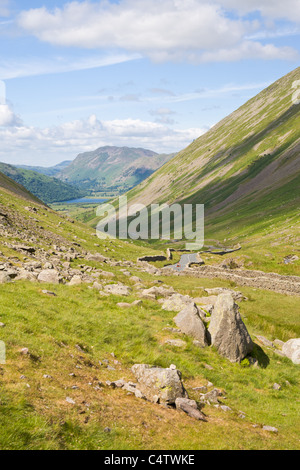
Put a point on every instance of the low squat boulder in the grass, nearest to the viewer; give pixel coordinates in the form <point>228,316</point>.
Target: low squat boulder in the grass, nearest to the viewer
<point>159,385</point>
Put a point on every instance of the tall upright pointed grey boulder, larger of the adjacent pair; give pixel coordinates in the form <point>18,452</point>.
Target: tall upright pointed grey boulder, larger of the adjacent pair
<point>227,330</point>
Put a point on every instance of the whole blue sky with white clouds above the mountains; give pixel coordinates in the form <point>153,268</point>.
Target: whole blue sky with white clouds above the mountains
<point>156,74</point>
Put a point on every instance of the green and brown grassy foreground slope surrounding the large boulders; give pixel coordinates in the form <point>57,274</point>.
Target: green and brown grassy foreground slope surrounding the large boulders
<point>56,396</point>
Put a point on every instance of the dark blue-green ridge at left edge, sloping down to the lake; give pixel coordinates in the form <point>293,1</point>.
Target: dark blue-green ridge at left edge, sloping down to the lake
<point>45,188</point>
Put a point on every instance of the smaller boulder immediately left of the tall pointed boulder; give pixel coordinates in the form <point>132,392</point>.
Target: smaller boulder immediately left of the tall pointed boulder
<point>190,323</point>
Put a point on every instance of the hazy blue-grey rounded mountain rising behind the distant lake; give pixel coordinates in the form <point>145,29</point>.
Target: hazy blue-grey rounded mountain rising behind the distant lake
<point>112,168</point>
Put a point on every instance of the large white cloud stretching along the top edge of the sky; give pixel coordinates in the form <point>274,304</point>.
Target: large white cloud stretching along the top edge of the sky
<point>172,30</point>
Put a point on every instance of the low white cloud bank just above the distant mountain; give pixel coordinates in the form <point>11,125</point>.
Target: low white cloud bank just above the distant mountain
<point>57,143</point>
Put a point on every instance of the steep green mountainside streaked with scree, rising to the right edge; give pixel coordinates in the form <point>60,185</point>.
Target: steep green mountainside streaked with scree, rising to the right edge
<point>246,170</point>
